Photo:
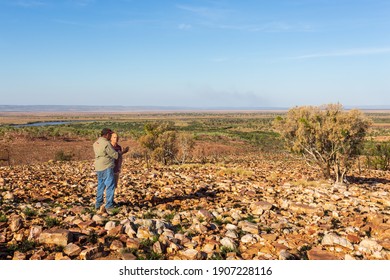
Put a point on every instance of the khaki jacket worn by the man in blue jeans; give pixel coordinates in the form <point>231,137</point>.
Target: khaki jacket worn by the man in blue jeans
<point>105,155</point>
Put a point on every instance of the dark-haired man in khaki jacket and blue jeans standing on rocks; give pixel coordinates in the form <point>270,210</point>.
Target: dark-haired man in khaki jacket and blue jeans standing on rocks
<point>105,157</point>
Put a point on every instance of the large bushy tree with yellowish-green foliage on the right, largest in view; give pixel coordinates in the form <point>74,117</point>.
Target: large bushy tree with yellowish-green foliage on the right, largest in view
<point>326,136</point>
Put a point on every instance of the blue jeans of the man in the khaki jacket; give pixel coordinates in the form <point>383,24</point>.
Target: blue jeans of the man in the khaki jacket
<point>106,181</point>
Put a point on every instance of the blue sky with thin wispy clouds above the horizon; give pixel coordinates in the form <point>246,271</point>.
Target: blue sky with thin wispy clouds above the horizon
<point>204,53</point>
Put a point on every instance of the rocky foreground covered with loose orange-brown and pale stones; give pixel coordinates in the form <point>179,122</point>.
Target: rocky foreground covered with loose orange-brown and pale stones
<point>249,207</point>
